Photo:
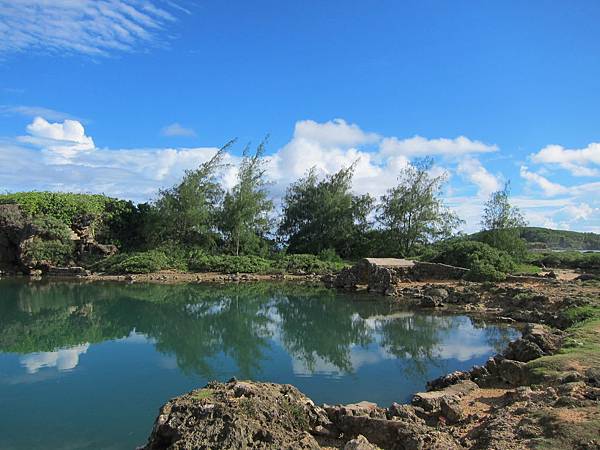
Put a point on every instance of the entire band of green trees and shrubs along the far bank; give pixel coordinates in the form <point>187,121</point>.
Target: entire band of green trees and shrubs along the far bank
<point>198,225</point>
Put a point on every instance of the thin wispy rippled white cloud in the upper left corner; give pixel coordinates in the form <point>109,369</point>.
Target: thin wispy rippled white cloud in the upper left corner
<point>92,27</point>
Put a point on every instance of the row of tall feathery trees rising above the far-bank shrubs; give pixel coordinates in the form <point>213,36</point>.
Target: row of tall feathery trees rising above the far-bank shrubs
<point>317,213</point>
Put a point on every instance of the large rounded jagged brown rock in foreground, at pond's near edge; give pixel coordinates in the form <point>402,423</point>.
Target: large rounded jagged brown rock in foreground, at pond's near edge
<point>239,415</point>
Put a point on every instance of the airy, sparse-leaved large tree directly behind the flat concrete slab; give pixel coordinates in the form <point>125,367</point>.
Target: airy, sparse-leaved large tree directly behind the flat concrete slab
<point>413,212</point>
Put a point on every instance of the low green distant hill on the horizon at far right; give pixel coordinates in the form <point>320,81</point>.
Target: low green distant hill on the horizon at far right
<point>545,238</point>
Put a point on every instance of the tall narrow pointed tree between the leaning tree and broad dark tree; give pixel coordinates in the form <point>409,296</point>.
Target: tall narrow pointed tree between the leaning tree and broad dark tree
<point>244,218</point>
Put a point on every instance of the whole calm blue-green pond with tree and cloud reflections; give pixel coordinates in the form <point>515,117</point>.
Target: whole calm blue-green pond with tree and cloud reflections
<point>88,365</point>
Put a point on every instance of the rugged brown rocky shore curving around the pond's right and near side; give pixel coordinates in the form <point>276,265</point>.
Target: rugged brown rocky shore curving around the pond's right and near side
<point>509,403</point>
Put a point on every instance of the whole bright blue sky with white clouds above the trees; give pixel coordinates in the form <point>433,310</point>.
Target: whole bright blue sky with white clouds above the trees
<point>121,96</point>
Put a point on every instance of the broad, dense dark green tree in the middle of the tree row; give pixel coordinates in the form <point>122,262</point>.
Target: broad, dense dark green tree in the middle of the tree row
<point>324,214</point>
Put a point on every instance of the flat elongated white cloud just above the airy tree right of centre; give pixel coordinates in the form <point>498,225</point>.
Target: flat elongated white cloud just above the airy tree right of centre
<point>418,146</point>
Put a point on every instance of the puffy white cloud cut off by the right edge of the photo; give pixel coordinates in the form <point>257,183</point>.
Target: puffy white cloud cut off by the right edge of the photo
<point>576,161</point>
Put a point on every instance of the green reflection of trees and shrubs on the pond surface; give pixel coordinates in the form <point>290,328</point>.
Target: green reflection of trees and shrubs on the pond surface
<point>199,324</point>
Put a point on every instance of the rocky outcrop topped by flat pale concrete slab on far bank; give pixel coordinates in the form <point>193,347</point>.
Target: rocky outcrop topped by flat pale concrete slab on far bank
<point>383,275</point>
